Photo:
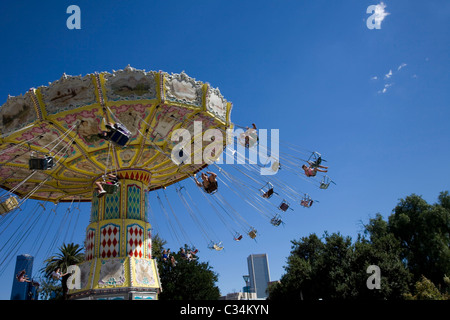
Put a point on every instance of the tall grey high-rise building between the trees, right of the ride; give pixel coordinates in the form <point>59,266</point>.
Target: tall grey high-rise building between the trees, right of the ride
<point>258,270</point>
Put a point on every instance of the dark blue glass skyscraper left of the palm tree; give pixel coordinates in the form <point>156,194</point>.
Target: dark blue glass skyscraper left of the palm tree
<point>23,290</point>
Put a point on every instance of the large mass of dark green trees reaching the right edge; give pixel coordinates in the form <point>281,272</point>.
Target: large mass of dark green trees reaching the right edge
<point>412,247</point>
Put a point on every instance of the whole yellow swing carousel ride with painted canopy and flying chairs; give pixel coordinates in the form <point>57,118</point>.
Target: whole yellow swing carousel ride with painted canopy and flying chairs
<point>61,143</point>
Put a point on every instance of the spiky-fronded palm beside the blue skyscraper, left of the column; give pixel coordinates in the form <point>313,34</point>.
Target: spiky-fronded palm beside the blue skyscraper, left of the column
<point>69,254</point>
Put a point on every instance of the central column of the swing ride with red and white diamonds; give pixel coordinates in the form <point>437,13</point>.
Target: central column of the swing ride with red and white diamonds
<point>118,248</point>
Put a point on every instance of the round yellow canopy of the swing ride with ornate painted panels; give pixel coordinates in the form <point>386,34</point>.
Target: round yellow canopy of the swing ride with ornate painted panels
<point>65,120</point>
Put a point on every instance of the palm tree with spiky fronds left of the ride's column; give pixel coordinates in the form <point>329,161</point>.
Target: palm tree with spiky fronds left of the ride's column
<point>69,254</point>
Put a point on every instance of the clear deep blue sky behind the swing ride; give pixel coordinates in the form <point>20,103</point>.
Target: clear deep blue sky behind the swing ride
<point>374,102</point>
